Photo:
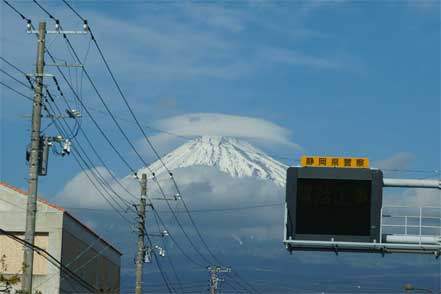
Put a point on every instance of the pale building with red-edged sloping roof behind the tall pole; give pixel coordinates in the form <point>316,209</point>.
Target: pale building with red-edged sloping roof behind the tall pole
<point>66,239</point>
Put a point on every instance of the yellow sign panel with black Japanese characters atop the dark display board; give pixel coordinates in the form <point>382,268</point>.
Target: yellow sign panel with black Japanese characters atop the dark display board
<point>327,161</point>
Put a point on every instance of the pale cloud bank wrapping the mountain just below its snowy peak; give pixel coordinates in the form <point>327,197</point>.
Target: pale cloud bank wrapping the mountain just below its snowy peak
<point>201,188</point>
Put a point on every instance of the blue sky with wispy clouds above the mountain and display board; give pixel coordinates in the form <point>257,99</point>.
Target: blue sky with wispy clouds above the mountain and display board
<point>334,77</point>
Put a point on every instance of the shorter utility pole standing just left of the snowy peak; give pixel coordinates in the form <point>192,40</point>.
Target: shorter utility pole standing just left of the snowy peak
<point>141,225</point>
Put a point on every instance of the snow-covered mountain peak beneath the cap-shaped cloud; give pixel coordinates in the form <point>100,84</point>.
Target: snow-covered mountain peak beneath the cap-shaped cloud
<point>230,155</point>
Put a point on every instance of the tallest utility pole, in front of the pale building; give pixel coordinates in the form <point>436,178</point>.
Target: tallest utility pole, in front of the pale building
<point>31,209</point>
